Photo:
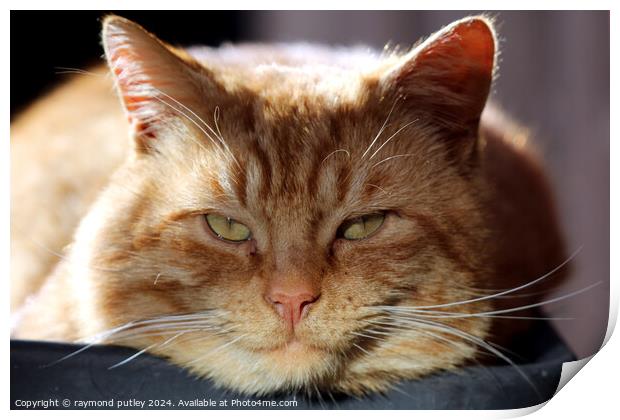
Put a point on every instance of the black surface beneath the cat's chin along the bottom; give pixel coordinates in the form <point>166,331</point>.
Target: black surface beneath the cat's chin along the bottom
<point>87,377</point>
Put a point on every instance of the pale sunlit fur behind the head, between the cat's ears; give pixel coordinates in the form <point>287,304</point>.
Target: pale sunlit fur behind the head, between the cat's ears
<point>293,71</point>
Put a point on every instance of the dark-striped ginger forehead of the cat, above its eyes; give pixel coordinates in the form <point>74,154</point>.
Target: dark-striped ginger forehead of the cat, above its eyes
<point>303,170</point>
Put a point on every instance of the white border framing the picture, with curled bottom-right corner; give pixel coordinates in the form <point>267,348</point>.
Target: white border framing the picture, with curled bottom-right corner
<point>595,387</point>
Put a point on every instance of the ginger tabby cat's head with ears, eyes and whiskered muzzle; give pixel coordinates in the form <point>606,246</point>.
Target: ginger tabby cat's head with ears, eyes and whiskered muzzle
<point>278,230</point>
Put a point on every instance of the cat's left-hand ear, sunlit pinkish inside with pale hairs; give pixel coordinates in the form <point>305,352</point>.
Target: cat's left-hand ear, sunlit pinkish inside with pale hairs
<point>151,78</point>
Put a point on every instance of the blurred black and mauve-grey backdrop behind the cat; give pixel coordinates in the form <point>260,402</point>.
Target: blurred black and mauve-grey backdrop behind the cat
<point>554,78</point>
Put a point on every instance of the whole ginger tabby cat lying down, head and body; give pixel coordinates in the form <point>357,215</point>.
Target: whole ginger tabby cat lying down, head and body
<point>292,141</point>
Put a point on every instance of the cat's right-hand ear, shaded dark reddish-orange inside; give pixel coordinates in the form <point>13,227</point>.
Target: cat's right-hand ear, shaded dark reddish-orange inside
<point>448,77</point>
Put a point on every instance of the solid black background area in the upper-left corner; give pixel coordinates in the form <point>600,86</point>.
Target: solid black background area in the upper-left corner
<point>45,43</point>
